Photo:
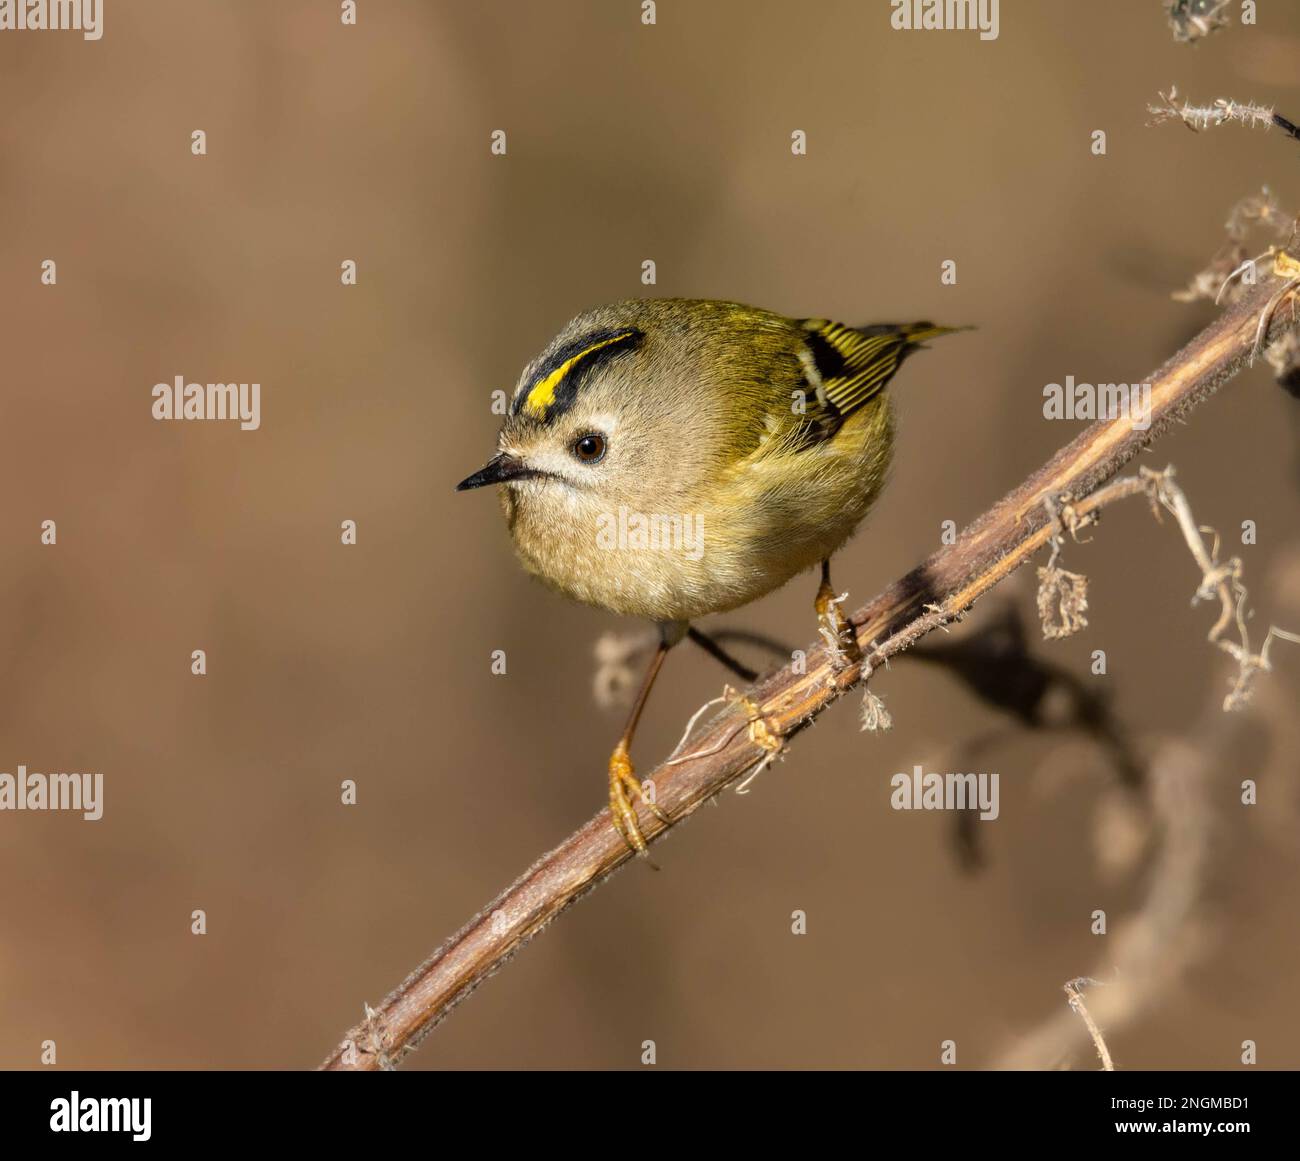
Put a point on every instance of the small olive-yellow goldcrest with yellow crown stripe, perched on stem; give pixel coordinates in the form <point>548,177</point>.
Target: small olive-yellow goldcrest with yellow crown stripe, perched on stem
<point>673,458</point>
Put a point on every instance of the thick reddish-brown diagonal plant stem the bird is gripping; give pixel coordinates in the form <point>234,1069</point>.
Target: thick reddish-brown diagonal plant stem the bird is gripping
<point>759,725</point>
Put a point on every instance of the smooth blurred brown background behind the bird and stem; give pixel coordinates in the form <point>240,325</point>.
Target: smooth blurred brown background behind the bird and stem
<point>372,662</point>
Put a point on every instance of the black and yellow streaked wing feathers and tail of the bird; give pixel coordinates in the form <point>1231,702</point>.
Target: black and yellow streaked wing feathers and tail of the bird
<point>852,365</point>
